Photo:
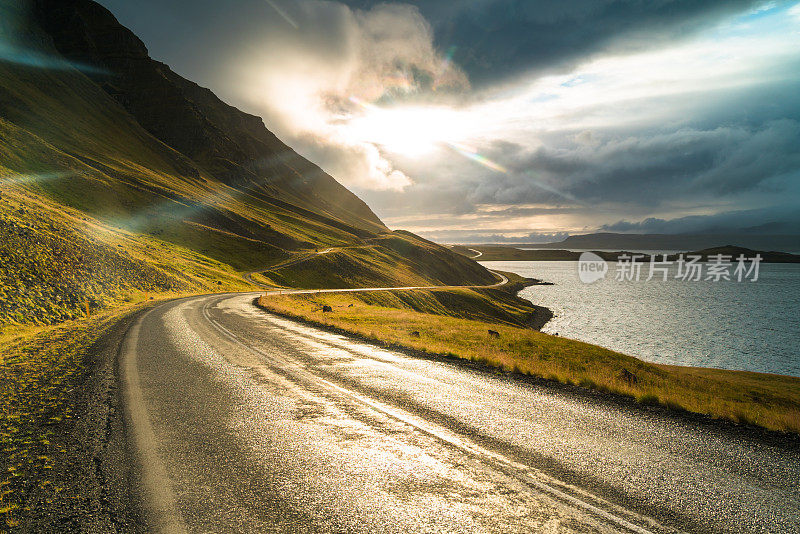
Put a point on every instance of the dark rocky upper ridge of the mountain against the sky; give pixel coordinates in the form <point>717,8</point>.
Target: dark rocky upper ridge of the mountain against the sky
<point>231,145</point>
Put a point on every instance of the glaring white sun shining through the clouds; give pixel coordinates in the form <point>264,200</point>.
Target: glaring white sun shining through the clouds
<point>407,131</point>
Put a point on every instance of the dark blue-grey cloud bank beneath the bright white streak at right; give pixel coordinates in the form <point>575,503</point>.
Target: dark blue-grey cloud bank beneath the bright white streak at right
<point>650,168</point>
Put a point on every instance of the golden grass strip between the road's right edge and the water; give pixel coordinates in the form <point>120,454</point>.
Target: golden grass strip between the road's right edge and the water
<point>769,401</point>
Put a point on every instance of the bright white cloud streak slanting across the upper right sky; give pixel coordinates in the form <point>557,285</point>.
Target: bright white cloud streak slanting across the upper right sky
<point>629,91</point>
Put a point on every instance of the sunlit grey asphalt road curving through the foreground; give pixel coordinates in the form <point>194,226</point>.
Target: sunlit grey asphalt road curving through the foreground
<point>246,422</point>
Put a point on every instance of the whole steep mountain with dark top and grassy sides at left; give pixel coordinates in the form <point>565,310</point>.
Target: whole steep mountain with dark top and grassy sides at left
<point>122,153</point>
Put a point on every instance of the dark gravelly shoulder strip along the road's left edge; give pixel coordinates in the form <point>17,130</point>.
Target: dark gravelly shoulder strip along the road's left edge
<point>89,485</point>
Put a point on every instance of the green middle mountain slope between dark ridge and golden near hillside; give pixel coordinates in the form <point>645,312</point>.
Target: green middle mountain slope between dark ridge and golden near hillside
<point>66,139</point>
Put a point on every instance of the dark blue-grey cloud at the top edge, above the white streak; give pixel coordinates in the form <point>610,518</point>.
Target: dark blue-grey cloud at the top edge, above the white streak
<point>499,39</point>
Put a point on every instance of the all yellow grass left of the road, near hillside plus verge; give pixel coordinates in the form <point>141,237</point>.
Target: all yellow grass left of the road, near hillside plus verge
<point>56,262</point>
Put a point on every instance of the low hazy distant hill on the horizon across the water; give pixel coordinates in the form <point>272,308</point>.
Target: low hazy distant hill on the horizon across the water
<point>614,241</point>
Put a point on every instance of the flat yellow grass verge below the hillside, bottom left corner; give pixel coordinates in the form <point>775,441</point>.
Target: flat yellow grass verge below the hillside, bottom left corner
<point>40,370</point>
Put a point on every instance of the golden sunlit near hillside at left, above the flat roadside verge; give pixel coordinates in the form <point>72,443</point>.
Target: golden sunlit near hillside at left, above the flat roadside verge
<point>58,264</point>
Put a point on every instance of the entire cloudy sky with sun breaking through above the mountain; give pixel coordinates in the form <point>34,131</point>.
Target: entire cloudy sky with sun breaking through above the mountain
<point>516,120</point>
